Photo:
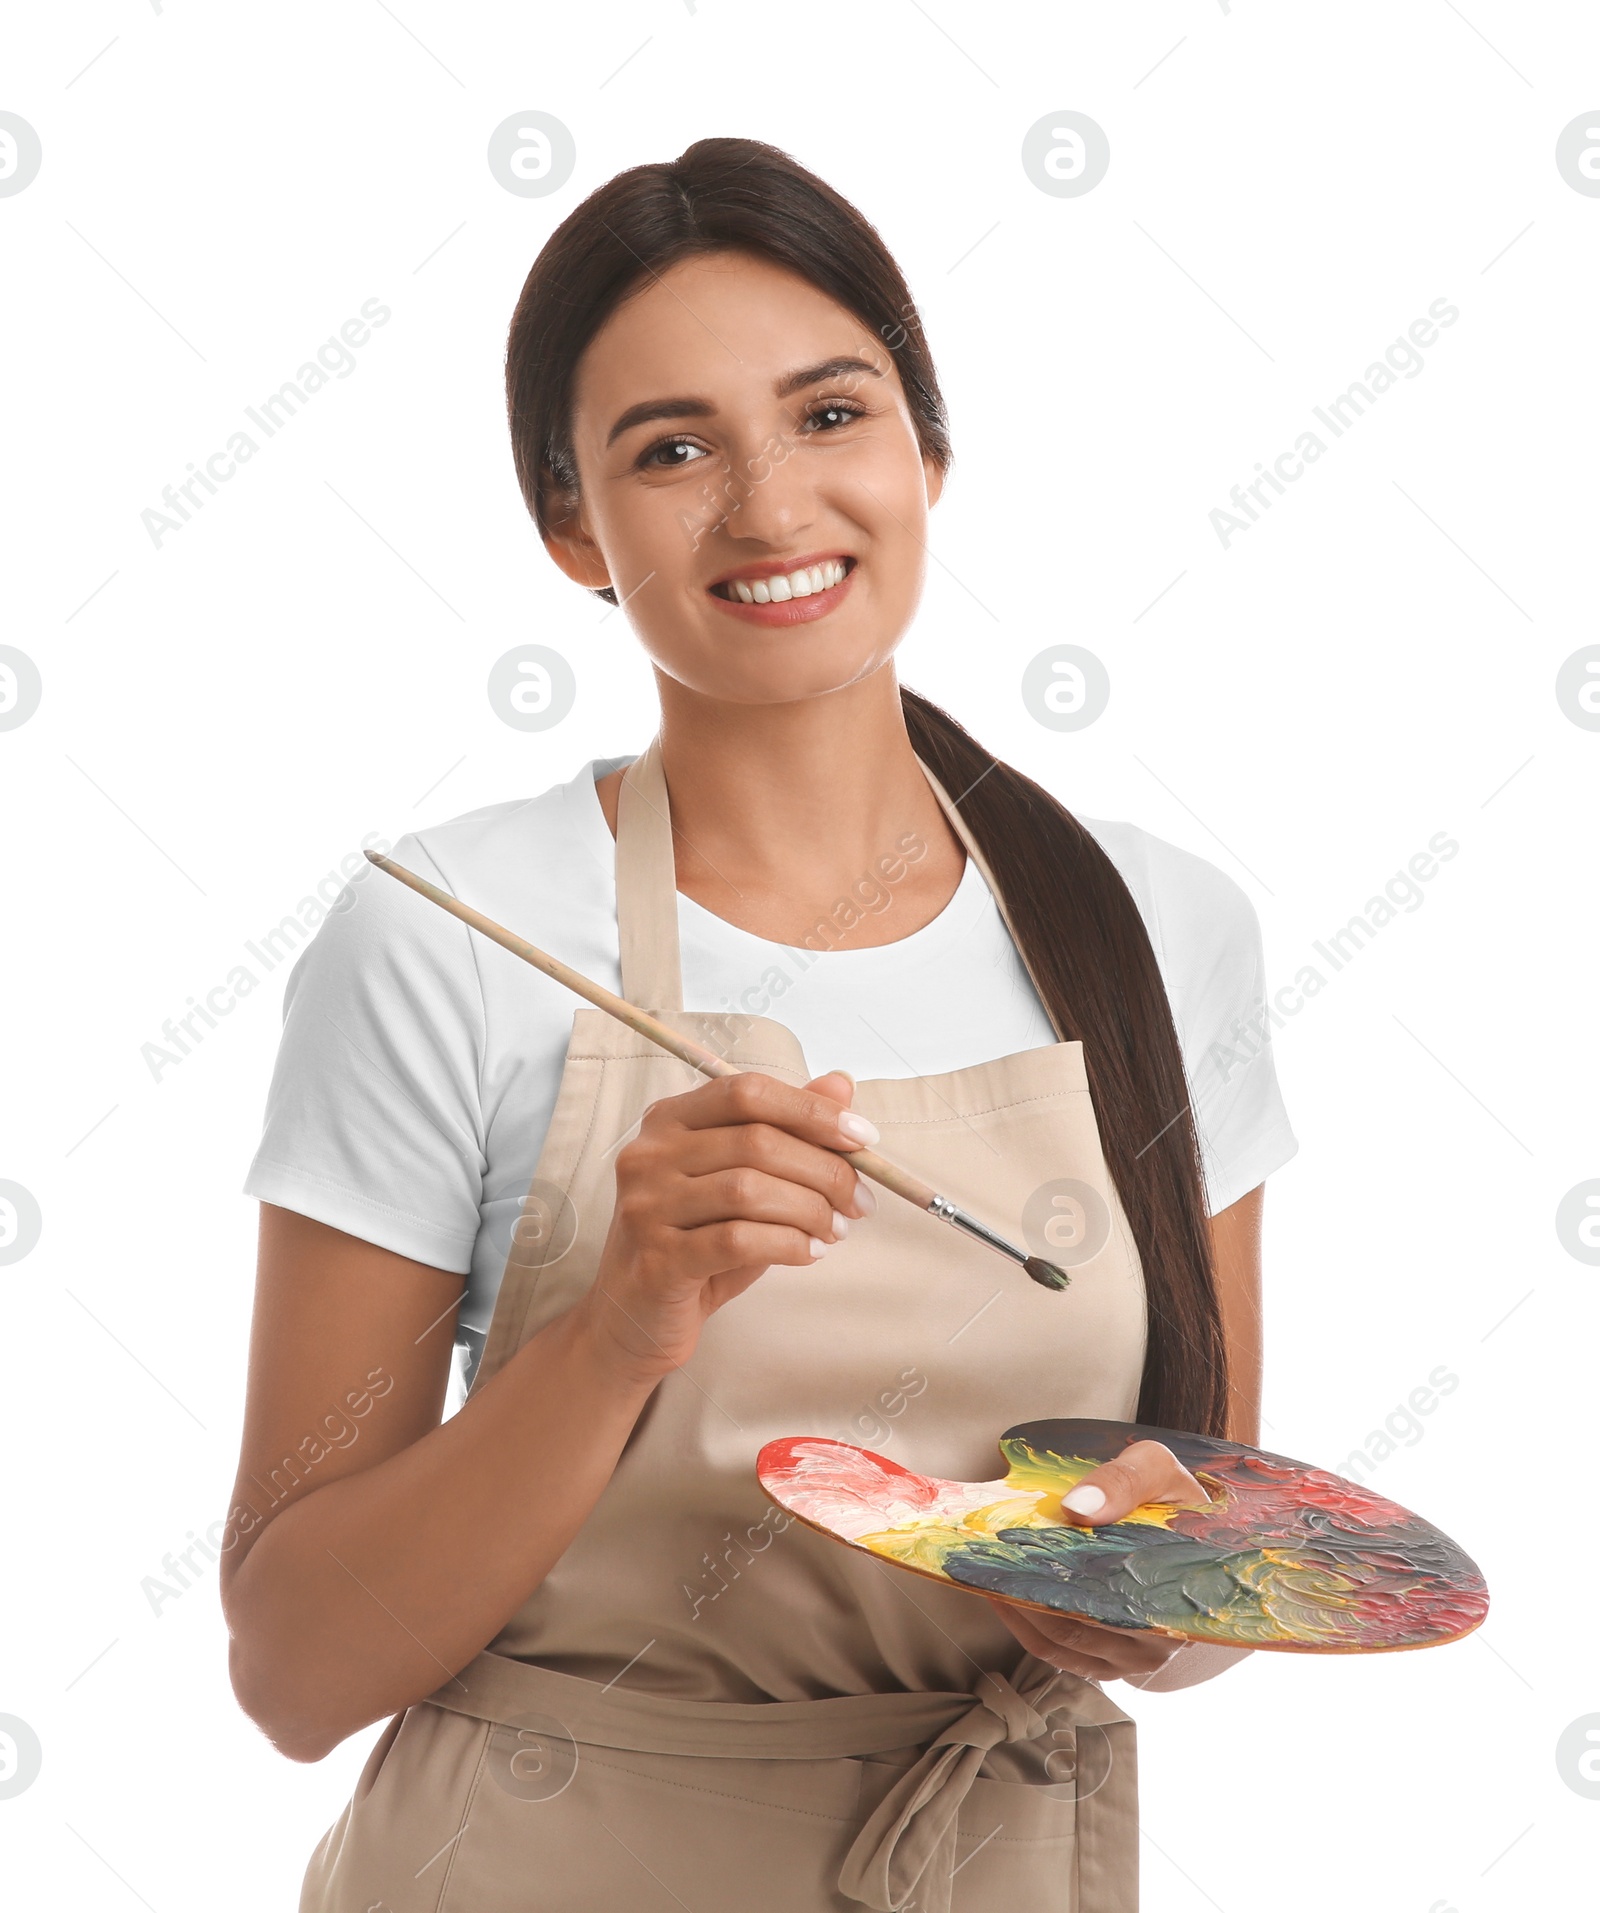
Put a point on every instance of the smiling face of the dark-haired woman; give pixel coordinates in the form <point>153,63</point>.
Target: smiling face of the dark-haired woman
<point>740,437</point>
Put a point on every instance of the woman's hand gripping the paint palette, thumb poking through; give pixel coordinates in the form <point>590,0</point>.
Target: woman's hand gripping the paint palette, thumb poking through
<point>1144,1472</point>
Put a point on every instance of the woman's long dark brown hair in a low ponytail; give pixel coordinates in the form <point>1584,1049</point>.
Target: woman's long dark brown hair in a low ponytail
<point>1077,927</point>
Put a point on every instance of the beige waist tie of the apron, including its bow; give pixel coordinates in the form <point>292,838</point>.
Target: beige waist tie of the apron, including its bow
<point>908,1843</point>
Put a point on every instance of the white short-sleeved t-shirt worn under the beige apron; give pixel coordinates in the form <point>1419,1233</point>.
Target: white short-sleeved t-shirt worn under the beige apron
<point>420,1063</point>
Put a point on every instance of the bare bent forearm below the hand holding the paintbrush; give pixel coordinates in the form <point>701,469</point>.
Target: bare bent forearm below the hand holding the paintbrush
<point>374,1591</point>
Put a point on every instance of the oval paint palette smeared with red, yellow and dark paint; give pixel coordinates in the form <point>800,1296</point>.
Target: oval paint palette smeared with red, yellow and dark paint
<point>1283,1556</point>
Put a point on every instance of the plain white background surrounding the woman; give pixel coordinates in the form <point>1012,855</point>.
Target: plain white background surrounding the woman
<point>305,663</point>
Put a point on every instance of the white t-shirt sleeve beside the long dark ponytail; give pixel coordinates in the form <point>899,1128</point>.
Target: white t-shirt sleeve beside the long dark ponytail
<point>1211,952</point>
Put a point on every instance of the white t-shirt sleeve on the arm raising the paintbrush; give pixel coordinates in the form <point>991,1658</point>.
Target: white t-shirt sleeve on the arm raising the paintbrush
<point>374,1118</point>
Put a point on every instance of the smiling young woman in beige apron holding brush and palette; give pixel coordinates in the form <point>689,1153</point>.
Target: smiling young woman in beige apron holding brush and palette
<point>617,1675</point>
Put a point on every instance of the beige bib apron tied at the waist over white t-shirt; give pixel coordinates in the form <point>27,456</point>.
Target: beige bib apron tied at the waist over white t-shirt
<point>707,1704</point>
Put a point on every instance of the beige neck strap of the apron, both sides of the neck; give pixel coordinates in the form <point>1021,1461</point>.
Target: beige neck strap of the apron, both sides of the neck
<point>648,881</point>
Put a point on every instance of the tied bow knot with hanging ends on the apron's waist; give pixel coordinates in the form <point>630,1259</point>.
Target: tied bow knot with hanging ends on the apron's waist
<point>908,1843</point>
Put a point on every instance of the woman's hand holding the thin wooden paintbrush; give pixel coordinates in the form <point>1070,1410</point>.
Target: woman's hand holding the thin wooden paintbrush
<point>719,1185</point>
